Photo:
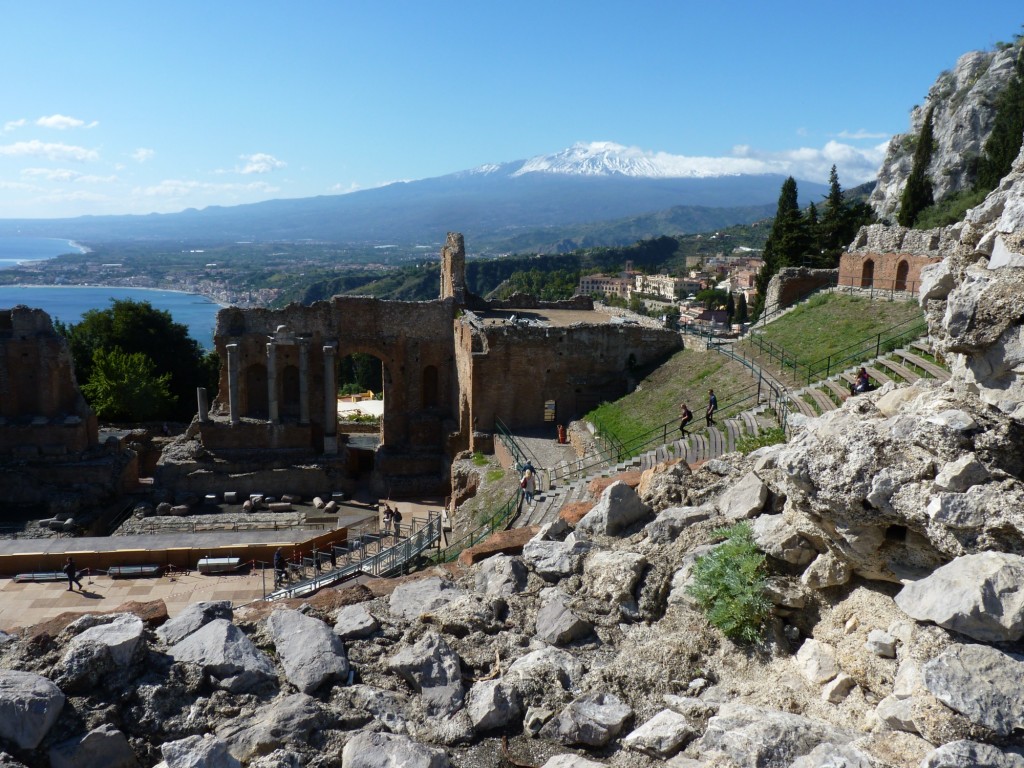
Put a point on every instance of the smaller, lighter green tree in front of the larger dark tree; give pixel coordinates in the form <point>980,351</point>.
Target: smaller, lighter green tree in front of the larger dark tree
<point>125,387</point>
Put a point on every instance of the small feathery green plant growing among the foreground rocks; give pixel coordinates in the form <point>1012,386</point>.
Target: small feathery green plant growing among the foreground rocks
<point>730,585</point>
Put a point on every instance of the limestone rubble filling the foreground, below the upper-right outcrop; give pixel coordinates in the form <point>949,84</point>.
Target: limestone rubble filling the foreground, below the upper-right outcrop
<point>893,531</point>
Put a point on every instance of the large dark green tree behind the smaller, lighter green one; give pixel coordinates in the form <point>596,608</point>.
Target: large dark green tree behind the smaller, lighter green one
<point>136,327</point>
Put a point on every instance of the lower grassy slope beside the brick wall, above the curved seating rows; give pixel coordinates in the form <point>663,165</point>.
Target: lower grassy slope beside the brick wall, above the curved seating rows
<point>686,377</point>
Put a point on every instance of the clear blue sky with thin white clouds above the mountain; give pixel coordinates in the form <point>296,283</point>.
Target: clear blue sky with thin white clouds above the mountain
<point>154,107</point>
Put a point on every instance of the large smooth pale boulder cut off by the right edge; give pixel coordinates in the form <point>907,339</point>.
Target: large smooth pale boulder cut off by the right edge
<point>979,595</point>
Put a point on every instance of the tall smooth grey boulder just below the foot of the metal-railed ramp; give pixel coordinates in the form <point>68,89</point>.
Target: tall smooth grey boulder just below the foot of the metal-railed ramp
<point>311,653</point>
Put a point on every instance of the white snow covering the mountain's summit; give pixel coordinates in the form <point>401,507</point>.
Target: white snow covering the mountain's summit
<point>610,159</point>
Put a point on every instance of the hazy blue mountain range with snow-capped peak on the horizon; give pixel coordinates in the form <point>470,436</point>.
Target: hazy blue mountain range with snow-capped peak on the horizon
<point>603,194</point>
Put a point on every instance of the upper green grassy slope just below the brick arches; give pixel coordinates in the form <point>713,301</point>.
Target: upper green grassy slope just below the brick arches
<point>830,323</point>
